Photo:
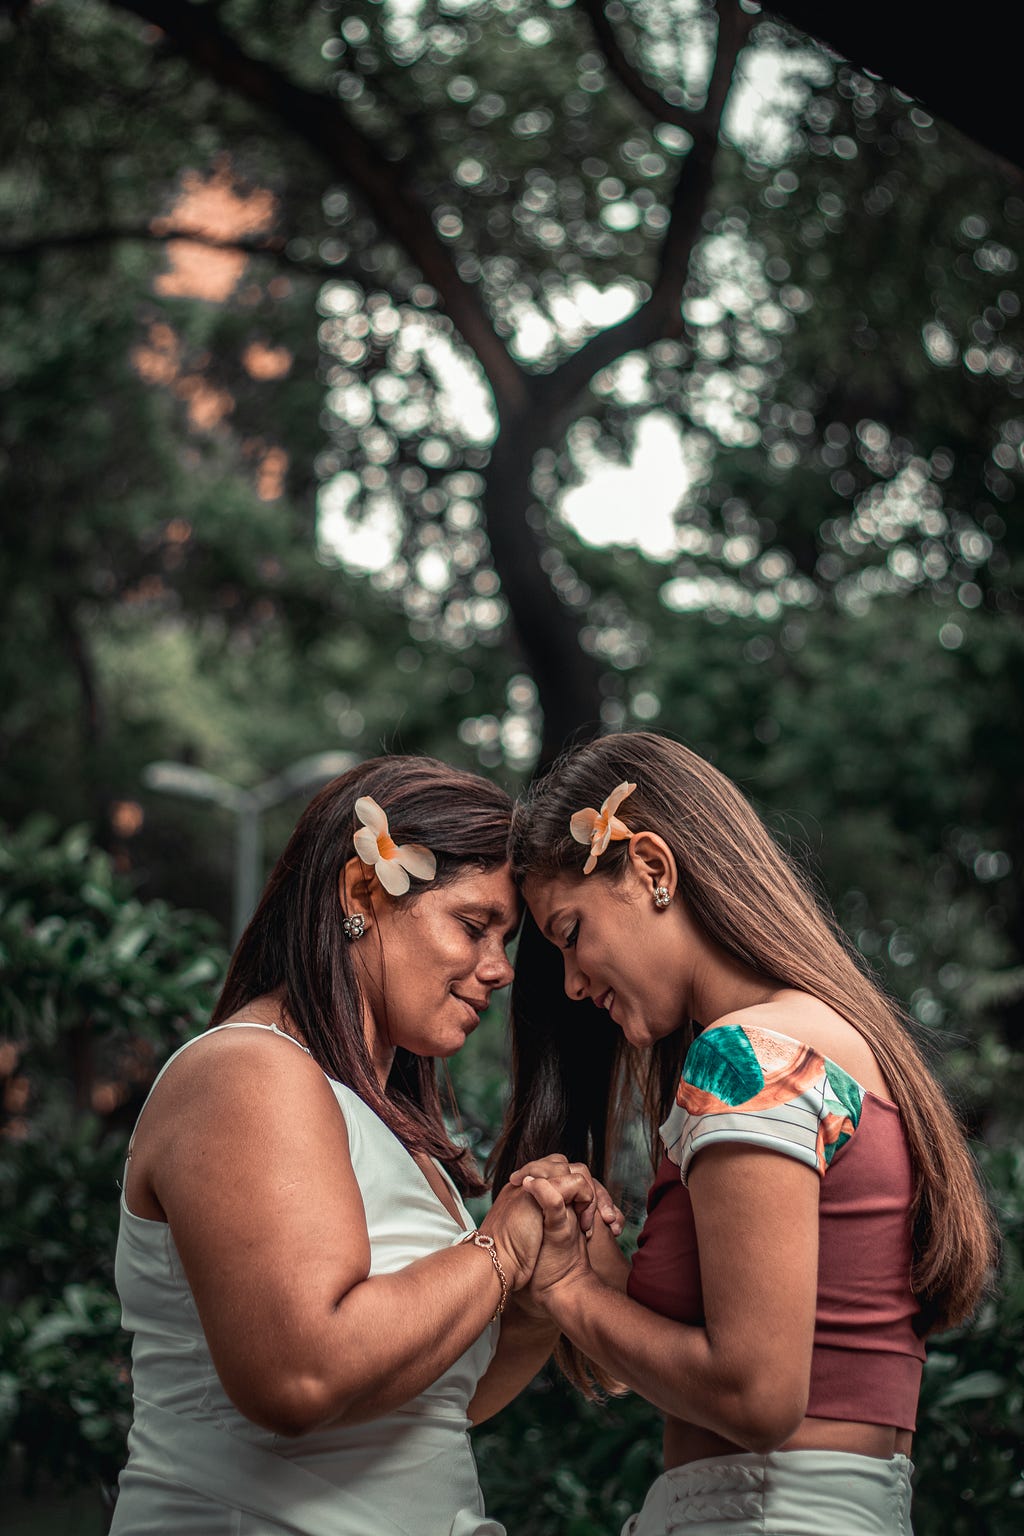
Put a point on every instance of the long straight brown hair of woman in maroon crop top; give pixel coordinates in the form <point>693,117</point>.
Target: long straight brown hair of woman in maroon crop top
<point>758,907</point>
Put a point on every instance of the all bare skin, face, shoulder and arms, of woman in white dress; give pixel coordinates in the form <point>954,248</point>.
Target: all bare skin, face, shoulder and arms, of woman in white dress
<point>245,1153</point>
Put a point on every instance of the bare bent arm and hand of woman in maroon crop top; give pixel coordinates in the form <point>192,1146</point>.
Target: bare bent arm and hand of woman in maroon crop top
<point>747,1372</point>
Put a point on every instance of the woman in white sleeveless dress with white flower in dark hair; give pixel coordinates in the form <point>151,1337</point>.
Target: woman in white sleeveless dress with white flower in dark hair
<point>314,1311</point>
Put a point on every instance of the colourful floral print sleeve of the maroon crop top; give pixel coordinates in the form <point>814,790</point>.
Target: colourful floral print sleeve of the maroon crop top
<point>764,1090</point>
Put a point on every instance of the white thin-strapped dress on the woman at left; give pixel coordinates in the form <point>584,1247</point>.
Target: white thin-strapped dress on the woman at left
<point>199,1468</point>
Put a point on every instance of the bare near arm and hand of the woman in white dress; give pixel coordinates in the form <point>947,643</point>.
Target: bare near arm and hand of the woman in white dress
<point>248,1156</point>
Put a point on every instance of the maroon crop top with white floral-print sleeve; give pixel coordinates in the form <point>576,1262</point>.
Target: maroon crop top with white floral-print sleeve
<point>867,1360</point>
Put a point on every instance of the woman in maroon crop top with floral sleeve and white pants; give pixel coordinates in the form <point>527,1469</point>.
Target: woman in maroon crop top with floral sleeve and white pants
<point>816,1210</point>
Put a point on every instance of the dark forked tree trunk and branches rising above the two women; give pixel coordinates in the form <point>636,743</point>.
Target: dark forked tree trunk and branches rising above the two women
<point>532,411</point>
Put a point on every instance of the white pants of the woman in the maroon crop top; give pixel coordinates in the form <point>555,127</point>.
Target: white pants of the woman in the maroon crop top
<point>784,1494</point>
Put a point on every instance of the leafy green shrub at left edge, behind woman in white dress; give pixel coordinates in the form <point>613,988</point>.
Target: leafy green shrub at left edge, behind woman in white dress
<point>96,988</point>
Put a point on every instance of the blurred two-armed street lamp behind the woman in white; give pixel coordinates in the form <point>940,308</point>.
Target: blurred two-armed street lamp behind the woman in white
<point>248,809</point>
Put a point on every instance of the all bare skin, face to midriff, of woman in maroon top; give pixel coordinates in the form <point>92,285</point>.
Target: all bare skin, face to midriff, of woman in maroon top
<point>735,1383</point>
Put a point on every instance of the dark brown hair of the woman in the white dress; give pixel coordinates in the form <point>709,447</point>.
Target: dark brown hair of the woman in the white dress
<point>296,947</point>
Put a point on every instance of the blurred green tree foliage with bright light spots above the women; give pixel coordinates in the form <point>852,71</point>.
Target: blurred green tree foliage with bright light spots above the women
<point>845,391</point>
